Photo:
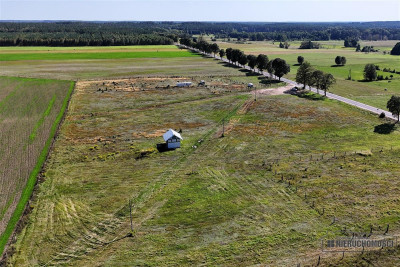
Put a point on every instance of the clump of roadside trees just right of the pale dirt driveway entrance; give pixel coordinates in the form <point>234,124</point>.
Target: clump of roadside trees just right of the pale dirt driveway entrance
<point>309,76</point>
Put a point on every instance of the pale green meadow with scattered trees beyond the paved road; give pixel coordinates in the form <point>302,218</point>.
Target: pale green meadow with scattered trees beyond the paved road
<point>372,93</point>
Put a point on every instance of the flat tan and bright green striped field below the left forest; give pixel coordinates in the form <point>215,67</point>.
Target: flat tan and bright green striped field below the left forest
<point>85,69</point>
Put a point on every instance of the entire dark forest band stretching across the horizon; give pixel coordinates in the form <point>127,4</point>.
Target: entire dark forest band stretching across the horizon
<point>76,33</point>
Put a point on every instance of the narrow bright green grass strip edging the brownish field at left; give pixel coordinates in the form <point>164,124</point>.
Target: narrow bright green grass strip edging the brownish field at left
<point>31,182</point>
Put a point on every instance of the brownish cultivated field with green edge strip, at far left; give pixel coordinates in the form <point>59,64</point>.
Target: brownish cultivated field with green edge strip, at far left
<point>30,111</point>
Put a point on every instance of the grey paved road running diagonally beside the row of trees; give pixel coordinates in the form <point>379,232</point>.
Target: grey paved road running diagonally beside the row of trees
<point>372,109</point>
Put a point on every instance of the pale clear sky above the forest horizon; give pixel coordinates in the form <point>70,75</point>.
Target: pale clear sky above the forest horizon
<point>202,10</point>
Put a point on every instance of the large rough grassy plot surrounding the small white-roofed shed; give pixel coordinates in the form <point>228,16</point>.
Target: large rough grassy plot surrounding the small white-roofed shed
<point>254,196</point>
